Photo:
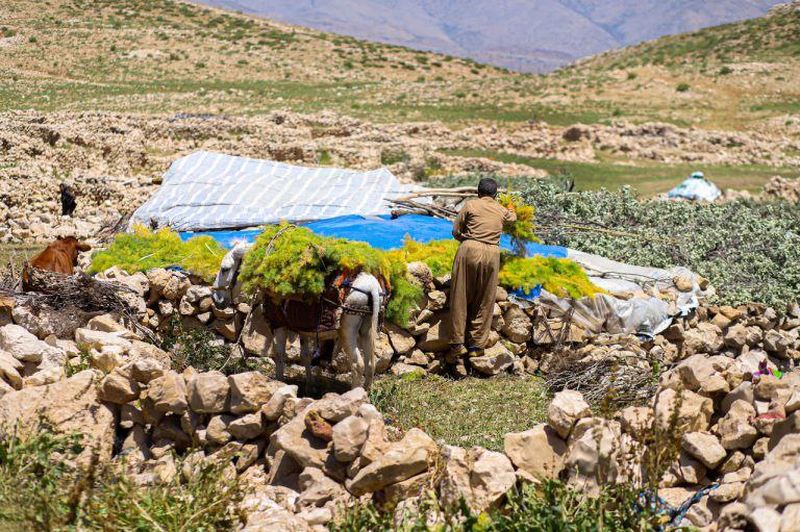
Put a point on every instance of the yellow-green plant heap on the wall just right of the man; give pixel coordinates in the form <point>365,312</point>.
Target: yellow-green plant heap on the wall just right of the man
<point>561,277</point>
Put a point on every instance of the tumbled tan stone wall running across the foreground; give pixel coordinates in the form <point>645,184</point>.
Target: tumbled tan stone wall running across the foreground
<point>302,460</point>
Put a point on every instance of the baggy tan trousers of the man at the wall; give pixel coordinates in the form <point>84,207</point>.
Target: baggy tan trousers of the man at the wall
<point>473,292</point>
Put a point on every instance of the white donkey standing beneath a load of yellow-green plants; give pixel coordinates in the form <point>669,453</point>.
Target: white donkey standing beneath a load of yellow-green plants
<point>357,332</point>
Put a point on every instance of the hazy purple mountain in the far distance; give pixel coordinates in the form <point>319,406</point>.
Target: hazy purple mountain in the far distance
<point>525,35</point>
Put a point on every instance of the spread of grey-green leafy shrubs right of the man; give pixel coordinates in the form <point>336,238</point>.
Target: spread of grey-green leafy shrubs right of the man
<point>749,250</point>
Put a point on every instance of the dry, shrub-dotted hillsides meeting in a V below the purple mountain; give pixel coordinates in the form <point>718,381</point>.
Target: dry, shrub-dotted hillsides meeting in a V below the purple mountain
<point>166,56</point>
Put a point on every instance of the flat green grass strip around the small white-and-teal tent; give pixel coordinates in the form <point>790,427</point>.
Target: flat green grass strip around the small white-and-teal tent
<point>648,178</point>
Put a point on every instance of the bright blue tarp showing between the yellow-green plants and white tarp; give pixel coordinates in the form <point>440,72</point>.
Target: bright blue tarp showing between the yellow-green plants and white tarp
<point>381,232</point>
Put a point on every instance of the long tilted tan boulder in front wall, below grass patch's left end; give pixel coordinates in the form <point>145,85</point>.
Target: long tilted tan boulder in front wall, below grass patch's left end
<point>404,459</point>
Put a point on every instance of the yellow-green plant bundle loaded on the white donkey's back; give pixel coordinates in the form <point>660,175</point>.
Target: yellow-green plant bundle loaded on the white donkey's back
<point>293,261</point>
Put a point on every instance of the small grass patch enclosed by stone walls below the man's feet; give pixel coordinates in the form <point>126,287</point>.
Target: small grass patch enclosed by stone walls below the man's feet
<point>486,408</point>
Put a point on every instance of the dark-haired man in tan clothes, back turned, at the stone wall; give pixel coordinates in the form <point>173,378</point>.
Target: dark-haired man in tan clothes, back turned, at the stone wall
<point>477,264</point>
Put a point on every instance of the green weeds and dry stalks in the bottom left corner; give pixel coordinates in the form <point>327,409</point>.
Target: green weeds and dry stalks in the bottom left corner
<point>41,490</point>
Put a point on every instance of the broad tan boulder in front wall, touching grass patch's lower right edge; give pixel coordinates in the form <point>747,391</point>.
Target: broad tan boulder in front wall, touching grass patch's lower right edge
<point>538,453</point>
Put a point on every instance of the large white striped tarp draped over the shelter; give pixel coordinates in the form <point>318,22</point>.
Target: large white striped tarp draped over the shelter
<point>206,190</point>
